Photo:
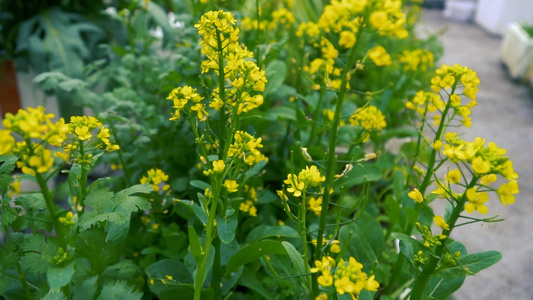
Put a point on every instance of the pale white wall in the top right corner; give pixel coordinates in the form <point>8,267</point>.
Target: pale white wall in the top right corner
<point>496,15</point>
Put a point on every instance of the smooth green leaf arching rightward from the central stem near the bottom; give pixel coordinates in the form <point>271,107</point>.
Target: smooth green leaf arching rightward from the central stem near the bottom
<point>254,251</point>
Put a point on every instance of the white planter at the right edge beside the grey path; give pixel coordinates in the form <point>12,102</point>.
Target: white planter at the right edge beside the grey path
<point>517,52</point>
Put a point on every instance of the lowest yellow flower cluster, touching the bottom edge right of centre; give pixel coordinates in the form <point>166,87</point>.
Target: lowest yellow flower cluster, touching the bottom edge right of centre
<point>347,277</point>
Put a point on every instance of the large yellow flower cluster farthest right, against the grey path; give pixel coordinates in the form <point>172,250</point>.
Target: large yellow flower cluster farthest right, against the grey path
<point>486,162</point>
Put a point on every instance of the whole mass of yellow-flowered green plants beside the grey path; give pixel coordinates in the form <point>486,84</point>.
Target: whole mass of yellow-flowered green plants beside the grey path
<point>289,189</point>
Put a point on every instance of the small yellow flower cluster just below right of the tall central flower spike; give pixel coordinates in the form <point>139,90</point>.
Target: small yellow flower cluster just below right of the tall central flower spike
<point>246,148</point>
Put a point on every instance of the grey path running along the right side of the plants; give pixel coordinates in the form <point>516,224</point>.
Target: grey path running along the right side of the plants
<point>504,115</point>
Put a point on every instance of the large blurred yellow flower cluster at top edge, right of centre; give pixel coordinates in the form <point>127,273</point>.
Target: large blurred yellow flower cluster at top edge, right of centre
<point>340,22</point>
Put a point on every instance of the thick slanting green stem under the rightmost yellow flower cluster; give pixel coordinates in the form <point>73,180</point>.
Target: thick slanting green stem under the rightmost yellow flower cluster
<point>431,265</point>
